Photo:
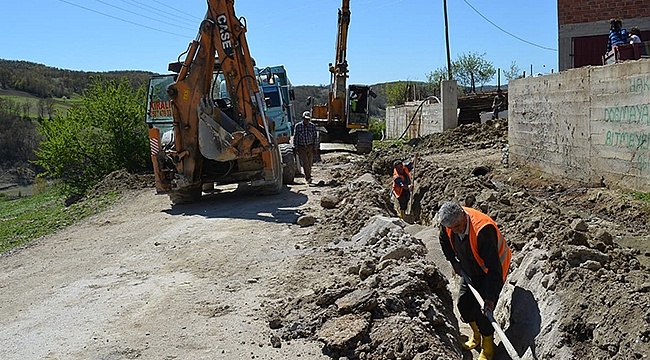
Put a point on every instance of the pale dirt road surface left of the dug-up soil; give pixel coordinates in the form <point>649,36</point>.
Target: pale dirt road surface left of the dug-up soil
<point>147,281</point>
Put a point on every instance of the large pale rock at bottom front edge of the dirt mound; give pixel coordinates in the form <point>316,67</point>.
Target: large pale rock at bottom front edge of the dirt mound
<point>344,332</point>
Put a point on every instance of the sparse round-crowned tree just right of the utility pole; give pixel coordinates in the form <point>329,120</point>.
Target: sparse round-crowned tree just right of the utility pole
<point>472,68</point>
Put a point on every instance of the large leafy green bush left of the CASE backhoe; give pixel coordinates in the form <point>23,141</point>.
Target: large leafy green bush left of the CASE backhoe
<point>106,132</point>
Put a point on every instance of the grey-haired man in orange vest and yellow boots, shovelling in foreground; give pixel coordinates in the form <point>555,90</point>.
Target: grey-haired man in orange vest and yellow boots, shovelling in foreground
<point>473,244</point>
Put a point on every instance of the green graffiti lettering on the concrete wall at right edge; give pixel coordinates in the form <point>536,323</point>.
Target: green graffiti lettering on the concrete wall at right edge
<point>633,125</point>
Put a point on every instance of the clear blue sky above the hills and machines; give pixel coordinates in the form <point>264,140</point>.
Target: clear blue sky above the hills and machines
<point>388,39</point>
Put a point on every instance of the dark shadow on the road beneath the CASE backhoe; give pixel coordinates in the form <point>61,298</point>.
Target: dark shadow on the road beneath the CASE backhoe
<point>244,203</point>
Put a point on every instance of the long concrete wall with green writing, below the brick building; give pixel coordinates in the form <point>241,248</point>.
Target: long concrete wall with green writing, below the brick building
<point>585,124</point>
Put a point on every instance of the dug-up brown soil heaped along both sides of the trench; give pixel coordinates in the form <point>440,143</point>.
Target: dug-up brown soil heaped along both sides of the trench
<point>573,290</point>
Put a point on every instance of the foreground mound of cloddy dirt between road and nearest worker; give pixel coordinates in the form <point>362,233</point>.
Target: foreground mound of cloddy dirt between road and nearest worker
<point>381,300</point>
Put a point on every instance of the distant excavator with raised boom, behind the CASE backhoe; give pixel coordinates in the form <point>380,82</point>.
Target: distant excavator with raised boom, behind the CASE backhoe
<point>345,117</point>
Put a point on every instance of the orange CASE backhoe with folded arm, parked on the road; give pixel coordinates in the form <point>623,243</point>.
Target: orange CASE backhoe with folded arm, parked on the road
<point>220,131</point>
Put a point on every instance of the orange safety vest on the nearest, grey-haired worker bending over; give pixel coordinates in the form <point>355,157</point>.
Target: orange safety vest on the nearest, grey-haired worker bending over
<point>477,221</point>
